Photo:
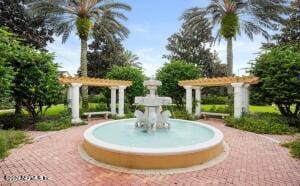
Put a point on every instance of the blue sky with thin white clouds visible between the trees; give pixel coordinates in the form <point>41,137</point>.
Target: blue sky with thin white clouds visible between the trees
<point>150,24</point>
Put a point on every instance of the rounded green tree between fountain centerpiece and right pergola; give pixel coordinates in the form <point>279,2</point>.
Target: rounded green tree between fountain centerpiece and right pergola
<point>170,74</point>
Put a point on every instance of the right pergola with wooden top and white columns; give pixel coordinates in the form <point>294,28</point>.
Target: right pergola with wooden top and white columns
<point>240,85</point>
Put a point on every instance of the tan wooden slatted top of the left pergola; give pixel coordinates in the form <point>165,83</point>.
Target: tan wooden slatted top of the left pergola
<point>94,81</point>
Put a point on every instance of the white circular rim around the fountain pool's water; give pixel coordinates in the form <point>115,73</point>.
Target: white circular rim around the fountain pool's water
<point>215,140</point>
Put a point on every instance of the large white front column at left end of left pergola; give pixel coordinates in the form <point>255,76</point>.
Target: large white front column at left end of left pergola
<point>75,103</point>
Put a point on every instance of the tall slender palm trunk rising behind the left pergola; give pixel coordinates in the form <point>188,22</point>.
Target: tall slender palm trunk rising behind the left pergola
<point>83,65</point>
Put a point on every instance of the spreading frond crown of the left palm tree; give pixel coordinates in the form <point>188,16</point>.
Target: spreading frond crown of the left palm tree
<point>105,16</point>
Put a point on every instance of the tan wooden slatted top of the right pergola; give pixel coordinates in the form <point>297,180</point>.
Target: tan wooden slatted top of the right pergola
<point>219,81</point>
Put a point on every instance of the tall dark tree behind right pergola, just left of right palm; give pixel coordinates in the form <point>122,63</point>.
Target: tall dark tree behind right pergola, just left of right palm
<point>191,46</point>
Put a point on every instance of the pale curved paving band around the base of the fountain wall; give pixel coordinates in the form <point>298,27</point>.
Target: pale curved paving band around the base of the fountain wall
<point>202,166</point>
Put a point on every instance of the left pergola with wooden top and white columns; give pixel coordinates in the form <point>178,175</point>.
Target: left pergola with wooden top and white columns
<point>76,82</point>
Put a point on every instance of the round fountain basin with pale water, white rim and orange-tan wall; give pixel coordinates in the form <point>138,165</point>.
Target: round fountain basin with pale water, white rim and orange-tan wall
<point>186,144</point>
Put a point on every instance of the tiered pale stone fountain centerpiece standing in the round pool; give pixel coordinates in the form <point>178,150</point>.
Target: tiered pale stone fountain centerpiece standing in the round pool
<point>152,118</point>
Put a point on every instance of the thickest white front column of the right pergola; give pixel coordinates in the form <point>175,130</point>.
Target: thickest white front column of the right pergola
<point>238,99</point>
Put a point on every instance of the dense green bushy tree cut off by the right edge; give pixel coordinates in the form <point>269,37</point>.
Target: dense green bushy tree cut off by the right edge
<point>279,73</point>
